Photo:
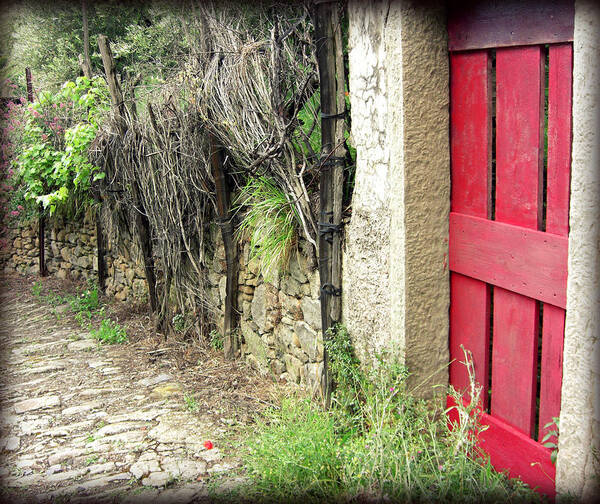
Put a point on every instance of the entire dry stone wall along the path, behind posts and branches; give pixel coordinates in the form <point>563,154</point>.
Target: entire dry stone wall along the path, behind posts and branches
<point>279,319</point>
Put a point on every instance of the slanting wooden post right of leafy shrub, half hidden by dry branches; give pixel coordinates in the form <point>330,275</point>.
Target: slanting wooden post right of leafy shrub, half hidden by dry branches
<point>142,224</point>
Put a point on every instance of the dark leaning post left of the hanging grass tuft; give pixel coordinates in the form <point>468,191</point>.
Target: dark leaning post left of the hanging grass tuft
<point>230,342</point>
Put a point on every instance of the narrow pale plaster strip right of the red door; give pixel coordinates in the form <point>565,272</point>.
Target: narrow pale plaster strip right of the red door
<point>579,444</point>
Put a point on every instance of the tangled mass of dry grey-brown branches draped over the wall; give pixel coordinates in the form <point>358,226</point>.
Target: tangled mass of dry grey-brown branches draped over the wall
<point>250,74</point>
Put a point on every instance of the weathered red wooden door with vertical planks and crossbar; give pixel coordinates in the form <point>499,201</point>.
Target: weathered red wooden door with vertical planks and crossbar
<point>509,91</point>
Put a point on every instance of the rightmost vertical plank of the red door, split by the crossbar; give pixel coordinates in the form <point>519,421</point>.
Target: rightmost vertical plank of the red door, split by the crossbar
<point>557,221</point>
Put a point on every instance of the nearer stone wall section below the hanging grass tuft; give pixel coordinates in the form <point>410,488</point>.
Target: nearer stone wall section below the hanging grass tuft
<point>280,320</point>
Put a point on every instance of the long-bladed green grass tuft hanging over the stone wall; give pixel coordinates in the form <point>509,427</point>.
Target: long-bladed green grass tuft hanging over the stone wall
<point>271,223</point>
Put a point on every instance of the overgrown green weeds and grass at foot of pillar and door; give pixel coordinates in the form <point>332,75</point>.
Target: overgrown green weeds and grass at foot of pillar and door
<point>377,442</point>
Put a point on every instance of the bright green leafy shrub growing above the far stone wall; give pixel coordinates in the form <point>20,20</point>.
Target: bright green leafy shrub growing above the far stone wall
<point>50,139</point>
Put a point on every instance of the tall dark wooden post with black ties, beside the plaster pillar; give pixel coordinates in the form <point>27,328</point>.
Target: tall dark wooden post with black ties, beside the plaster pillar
<point>331,75</point>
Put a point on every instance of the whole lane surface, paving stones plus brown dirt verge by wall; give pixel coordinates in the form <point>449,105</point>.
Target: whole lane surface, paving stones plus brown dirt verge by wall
<point>115,423</point>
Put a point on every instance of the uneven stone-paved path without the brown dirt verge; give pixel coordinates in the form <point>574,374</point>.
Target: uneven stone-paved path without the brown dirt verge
<point>74,424</point>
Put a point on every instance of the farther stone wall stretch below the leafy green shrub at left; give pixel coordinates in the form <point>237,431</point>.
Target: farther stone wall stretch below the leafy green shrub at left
<point>71,253</point>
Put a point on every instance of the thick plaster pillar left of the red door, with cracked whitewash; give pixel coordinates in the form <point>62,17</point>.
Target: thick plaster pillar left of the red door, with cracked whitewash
<point>396,292</point>
